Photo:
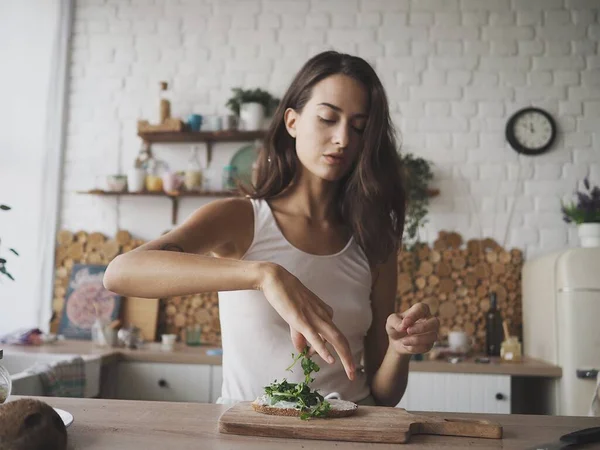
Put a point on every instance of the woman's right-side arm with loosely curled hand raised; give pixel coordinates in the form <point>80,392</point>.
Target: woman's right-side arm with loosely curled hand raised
<point>393,337</point>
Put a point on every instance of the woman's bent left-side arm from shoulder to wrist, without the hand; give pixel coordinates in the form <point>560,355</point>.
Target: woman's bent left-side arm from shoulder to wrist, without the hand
<point>223,226</point>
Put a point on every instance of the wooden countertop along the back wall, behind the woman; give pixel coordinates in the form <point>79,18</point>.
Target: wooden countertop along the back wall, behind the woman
<point>182,354</point>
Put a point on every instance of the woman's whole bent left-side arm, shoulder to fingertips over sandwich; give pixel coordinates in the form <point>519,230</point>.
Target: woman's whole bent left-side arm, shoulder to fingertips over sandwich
<point>176,264</point>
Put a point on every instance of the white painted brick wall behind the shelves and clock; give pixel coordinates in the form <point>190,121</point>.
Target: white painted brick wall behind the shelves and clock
<point>454,71</point>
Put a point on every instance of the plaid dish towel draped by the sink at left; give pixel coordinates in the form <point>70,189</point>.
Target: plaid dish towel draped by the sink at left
<point>63,378</point>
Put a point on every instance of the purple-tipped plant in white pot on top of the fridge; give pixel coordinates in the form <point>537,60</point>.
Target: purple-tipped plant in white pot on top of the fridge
<point>585,213</point>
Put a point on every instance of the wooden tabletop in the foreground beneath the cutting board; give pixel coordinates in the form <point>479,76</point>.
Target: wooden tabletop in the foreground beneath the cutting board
<point>131,425</point>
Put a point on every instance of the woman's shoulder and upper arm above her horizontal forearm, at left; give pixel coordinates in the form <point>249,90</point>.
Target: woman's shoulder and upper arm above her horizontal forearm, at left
<point>223,227</point>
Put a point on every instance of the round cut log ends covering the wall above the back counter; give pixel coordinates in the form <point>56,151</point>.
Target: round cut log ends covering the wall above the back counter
<point>454,280</point>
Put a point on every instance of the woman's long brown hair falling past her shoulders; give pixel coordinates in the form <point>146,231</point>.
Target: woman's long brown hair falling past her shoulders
<point>371,197</point>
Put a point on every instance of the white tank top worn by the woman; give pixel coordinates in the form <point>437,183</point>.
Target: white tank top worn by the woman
<point>257,346</point>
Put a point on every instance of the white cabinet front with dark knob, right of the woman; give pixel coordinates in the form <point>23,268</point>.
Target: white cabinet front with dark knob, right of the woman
<point>458,392</point>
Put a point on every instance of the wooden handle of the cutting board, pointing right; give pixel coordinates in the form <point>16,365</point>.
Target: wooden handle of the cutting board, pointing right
<point>457,427</point>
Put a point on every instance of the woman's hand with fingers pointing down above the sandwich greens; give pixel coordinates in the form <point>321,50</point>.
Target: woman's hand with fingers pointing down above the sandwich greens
<point>310,318</point>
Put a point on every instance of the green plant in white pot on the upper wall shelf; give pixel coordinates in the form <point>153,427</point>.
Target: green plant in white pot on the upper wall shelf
<point>252,106</point>
